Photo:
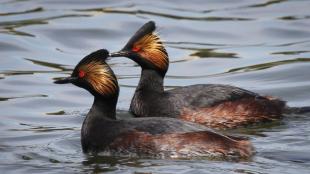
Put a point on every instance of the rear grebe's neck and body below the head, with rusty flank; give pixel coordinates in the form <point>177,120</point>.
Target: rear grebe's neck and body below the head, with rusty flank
<point>217,106</point>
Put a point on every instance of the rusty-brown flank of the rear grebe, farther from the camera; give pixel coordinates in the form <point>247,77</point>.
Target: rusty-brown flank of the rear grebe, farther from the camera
<point>232,114</point>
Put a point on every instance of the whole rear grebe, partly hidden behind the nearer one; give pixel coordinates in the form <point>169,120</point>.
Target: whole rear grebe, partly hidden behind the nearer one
<point>214,105</point>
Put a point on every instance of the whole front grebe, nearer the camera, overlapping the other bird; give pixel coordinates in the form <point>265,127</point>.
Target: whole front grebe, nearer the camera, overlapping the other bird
<point>143,137</point>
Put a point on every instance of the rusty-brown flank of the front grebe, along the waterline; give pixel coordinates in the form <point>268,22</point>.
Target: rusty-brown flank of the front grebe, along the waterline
<point>182,145</point>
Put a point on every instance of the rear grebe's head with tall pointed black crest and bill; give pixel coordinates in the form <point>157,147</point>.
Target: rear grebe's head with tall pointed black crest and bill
<point>146,48</point>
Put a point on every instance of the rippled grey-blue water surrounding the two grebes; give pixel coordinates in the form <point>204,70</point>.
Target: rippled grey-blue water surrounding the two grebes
<point>258,45</point>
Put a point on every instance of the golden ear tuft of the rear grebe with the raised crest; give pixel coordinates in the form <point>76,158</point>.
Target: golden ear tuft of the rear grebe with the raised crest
<point>151,48</point>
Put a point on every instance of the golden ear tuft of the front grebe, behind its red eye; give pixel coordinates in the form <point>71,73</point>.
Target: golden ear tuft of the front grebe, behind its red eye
<point>99,76</point>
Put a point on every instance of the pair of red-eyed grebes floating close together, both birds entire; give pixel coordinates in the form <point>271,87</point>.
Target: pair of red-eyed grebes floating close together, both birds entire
<point>157,135</point>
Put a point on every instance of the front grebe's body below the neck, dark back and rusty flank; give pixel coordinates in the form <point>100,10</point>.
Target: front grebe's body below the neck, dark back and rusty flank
<point>159,138</point>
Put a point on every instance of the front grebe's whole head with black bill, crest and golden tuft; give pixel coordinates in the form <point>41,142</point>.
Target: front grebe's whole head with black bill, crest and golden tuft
<point>93,74</point>
